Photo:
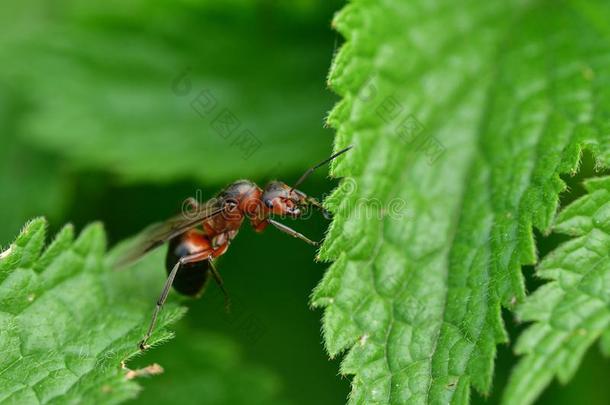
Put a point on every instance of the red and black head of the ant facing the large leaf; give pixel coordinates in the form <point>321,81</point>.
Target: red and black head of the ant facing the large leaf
<point>282,199</point>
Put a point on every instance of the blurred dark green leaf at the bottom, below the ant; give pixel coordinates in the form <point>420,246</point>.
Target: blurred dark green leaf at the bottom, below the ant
<point>204,368</point>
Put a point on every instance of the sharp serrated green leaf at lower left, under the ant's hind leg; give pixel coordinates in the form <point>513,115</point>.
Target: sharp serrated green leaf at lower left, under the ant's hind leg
<point>67,321</point>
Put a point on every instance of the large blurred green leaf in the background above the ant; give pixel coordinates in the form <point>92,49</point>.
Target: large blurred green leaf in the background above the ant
<point>125,88</point>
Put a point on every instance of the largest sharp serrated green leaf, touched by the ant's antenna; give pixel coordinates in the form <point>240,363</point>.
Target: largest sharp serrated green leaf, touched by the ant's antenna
<point>466,114</point>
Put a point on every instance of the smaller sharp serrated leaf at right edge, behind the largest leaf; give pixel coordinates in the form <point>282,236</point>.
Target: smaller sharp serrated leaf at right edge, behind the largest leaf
<point>572,310</point>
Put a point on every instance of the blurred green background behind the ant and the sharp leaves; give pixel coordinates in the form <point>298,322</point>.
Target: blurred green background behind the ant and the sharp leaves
<point>97,123</point>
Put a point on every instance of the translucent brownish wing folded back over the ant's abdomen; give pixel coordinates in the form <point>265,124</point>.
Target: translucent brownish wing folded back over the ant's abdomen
<point>157,234</point>
